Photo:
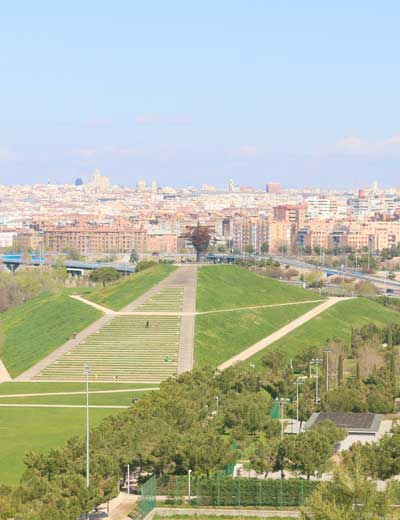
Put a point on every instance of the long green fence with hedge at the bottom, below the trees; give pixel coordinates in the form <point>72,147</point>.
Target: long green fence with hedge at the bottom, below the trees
<point>225,491</point>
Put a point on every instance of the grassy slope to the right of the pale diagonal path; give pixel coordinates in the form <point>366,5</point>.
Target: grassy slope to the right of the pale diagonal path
<point>336,322</point>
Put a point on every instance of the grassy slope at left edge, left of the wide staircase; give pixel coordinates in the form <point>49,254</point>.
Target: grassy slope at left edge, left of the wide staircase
<point>35,328</point>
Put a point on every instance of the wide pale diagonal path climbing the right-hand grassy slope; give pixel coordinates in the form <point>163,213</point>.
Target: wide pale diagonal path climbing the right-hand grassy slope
<point>275,336</point>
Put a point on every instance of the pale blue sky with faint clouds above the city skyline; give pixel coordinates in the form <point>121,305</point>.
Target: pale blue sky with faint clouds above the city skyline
<point>185,92</point>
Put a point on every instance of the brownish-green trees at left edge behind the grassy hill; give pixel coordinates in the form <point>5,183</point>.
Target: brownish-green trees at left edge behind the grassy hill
<point>16,288</point>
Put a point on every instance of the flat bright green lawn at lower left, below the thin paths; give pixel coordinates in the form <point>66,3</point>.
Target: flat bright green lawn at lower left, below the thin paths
<point>39,429</point>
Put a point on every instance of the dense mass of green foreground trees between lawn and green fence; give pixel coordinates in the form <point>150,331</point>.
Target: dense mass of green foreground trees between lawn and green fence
<point>183,426</point>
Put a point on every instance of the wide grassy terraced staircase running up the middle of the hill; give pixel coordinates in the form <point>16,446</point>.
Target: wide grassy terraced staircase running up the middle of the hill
<point>137,349</point>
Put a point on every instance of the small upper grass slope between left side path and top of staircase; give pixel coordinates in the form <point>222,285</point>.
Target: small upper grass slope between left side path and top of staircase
<point>123,292</point>
